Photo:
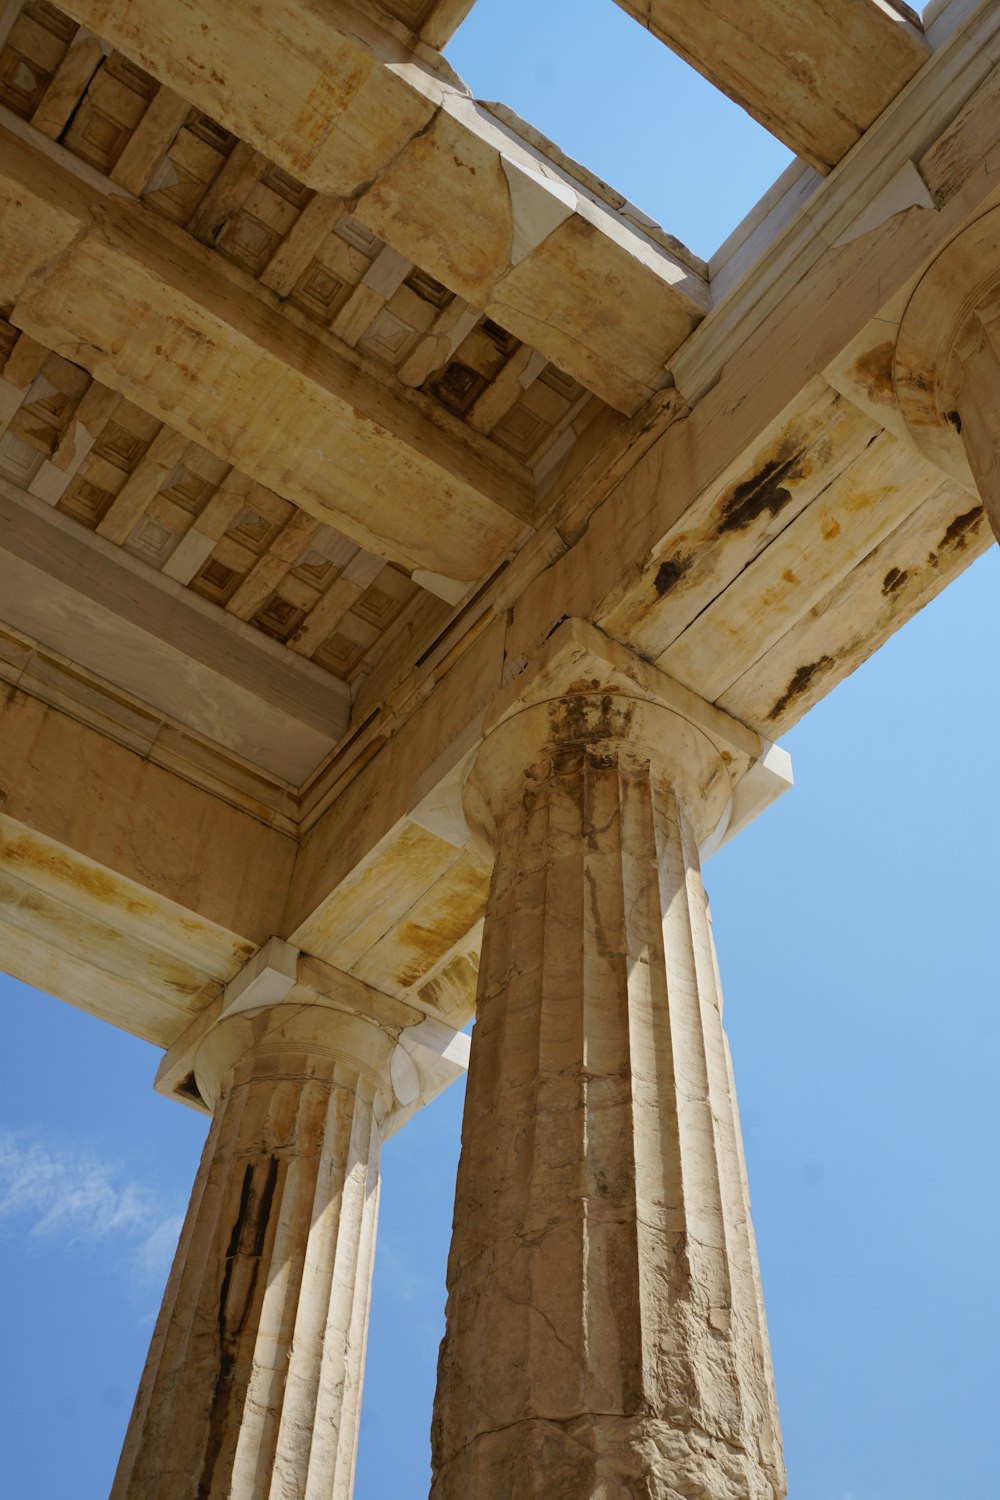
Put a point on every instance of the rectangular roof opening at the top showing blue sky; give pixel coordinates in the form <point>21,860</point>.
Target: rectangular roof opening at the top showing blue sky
<point>698,163</point>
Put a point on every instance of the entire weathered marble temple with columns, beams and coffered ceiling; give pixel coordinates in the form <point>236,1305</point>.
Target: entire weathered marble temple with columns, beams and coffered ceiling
<point>412,557</point>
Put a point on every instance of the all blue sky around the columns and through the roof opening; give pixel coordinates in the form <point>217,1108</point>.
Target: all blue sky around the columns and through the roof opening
<point>858,941</point>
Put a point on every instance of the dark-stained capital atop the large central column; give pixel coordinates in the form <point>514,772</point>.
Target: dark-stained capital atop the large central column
<point>588,692</point>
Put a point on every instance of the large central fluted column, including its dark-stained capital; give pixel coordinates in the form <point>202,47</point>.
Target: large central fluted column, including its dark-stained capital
<point>605,1328</point>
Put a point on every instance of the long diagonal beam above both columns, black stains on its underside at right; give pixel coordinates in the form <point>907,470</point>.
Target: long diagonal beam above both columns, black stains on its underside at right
<point>713,460</point>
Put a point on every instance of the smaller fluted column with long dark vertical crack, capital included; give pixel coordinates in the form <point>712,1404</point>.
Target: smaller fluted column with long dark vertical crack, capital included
<point>253,1382</point>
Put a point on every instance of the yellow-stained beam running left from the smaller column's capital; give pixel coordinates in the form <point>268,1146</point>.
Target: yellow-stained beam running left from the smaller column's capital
<point>137,901</point>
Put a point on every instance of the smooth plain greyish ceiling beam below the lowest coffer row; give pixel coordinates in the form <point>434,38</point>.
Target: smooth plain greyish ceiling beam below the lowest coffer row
<point>91,601</point>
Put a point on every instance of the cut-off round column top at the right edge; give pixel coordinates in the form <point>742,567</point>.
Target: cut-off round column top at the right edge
<point>947,365</point>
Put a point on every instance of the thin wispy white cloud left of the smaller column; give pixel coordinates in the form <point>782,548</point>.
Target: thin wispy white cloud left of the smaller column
<point>52,1192</point>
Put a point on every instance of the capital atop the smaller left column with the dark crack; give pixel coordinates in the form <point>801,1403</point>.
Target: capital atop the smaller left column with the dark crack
<point>292,1009</point>
